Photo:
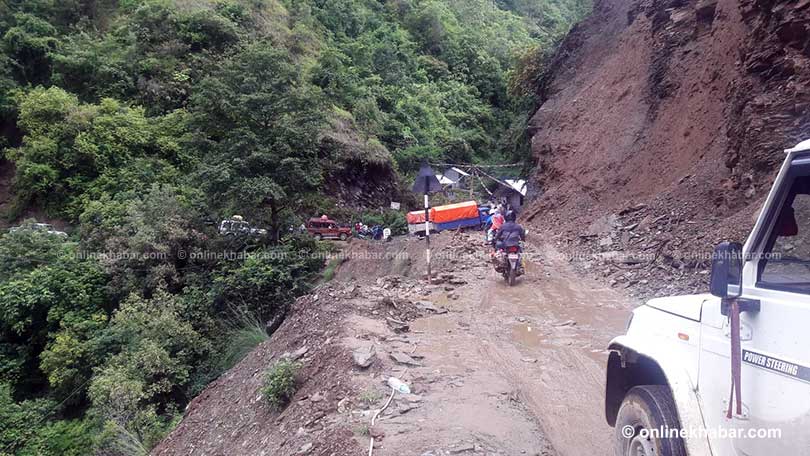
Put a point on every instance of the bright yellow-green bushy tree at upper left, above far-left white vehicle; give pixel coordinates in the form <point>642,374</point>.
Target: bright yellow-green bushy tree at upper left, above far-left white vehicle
<point>71,148</point>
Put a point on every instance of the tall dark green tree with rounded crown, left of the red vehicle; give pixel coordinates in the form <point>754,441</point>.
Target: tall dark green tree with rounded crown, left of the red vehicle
<point>260,121</point>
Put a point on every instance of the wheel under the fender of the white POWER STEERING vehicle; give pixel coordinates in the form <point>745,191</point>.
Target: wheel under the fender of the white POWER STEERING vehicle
<point>646,411</point>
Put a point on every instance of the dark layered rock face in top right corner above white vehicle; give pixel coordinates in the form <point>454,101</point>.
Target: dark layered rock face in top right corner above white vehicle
<point>770,102</point>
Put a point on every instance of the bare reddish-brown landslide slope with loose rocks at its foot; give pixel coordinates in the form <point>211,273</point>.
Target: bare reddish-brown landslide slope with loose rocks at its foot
<point>662,128</point>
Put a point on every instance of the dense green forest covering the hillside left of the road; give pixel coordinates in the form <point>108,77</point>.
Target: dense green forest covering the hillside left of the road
<point>140,124</point>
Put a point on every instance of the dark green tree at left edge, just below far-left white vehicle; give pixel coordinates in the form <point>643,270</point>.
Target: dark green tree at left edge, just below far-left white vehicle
<point>42,302</point>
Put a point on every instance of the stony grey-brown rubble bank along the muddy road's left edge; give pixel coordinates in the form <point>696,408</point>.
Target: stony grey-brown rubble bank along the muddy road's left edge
<point>349,337</point>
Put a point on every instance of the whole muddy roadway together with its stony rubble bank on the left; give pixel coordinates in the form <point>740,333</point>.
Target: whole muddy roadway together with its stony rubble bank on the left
<point>495,370</point>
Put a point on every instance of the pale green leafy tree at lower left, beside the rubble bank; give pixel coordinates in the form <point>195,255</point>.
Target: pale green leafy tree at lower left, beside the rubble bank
<point>157,353</point>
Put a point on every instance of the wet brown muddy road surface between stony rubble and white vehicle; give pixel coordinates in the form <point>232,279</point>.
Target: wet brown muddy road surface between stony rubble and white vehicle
<point>512,370</point>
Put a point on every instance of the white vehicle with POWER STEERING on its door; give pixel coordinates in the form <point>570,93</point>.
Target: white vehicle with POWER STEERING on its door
<point>681,356</point>
